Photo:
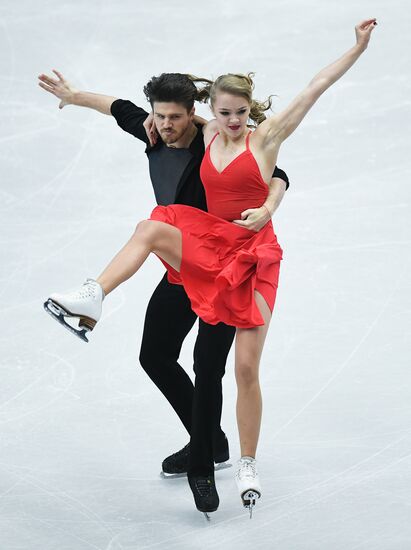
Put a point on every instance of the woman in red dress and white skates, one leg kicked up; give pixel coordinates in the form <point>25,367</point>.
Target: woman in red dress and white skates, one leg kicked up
<point>230,273</point>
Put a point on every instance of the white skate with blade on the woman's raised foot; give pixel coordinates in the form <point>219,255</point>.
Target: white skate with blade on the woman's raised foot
<point>84,304</point>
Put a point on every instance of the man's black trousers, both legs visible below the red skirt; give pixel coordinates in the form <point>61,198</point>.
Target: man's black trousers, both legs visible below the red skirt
<point>169,318</point>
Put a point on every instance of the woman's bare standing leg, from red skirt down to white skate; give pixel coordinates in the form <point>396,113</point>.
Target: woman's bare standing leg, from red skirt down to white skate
<point>248,348</point>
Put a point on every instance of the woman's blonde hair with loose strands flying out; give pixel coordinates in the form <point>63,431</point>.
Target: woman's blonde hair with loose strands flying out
<point>236,84</point>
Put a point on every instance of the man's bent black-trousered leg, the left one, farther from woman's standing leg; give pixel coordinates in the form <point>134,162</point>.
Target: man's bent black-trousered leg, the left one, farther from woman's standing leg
<point>169,318</point>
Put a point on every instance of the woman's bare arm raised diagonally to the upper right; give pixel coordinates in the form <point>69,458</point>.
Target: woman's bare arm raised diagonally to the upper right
<point>281,126</point>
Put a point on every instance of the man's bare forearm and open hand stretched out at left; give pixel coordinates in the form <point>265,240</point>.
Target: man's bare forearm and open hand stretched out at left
<point>69,95</point>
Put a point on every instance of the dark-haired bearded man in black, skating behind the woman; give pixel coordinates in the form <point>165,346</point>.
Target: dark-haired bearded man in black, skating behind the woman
<point>174,163</point>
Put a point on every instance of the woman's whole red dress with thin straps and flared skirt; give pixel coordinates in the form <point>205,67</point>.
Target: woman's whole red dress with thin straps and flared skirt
<point>223,263</point>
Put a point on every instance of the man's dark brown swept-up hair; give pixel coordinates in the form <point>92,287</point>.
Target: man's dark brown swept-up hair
<point>171,87</point>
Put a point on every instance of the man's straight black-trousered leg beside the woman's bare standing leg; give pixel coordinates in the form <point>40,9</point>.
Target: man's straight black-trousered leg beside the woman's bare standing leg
<point>210,355</point>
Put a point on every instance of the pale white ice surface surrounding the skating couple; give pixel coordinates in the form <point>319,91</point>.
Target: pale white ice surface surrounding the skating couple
<point>83,430</point>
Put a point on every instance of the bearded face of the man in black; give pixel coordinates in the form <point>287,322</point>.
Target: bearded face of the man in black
<point>172,120</point>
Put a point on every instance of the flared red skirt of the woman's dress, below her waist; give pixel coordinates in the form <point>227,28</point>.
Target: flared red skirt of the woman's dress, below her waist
<point>222,265</point>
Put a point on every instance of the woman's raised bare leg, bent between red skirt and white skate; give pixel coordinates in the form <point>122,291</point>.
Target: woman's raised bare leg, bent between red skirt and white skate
<point>150,236</point>
